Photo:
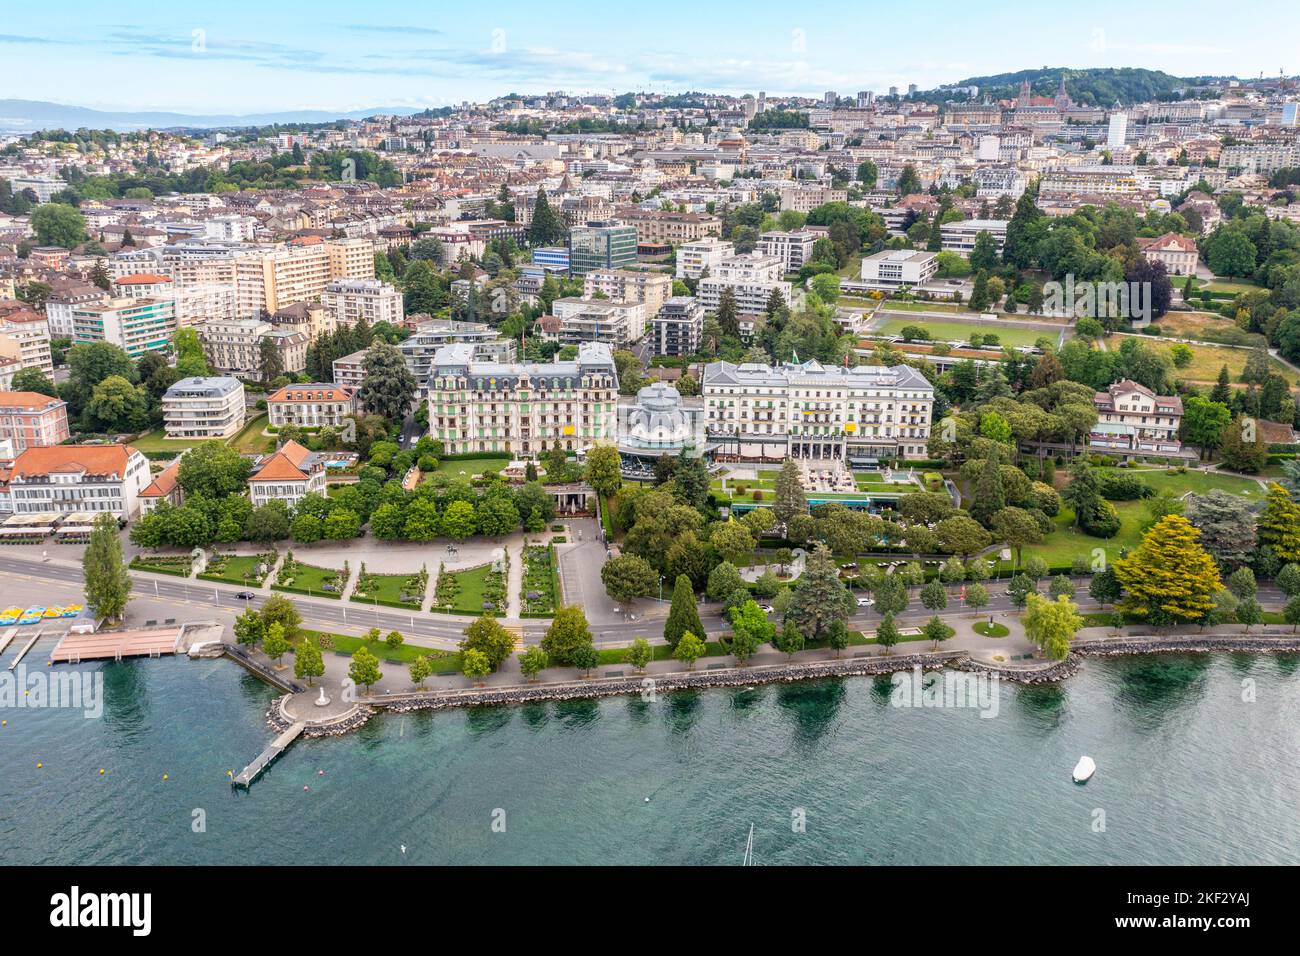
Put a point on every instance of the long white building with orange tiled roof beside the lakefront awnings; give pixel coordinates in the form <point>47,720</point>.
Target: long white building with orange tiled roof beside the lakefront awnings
<point>64,479</point>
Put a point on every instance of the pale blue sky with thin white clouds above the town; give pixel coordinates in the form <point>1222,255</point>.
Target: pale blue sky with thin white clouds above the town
<point>240,57</point>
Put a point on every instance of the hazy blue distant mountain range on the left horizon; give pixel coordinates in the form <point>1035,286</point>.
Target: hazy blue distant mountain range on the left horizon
<point>29,116</point>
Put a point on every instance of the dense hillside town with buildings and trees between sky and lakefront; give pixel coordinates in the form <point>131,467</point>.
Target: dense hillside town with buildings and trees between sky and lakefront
<point>787,356</point>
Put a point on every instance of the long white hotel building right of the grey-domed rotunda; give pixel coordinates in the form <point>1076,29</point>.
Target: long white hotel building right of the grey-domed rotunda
<point>811,410</point>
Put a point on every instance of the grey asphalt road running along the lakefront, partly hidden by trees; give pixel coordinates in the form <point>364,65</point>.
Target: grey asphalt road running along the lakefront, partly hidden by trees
<point>445,631</point>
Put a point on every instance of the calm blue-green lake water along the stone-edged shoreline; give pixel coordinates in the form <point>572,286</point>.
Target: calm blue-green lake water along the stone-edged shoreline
<point>1189,773</point>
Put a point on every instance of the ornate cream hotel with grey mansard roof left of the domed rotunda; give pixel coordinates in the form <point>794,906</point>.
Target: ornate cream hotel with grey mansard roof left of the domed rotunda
<point>523,409</point>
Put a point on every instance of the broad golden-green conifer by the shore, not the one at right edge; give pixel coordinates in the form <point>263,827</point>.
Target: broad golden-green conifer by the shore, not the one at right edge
<point>1169,579</point>
